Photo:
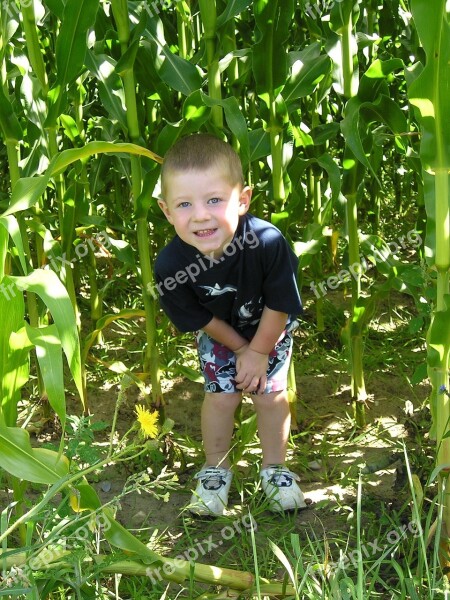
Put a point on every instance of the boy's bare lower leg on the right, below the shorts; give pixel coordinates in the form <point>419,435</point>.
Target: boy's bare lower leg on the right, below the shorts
<point>274,422</point>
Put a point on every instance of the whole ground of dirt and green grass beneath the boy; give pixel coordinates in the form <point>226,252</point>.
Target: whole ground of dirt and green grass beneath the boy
<point>361,537</point>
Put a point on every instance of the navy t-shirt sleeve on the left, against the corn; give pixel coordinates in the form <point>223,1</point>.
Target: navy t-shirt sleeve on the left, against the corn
<point>178,300</point>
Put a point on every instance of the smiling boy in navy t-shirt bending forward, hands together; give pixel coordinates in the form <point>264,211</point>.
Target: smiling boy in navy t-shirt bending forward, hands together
<point>231,277</point>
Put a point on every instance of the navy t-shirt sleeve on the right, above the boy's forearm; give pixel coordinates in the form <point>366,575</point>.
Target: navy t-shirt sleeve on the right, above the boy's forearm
<point>280,274</point>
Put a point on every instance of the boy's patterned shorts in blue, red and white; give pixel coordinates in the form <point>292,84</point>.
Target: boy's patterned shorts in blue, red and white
<point>218,364</point>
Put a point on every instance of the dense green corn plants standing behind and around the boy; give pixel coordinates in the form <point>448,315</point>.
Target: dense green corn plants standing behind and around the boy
<point>310,94</point>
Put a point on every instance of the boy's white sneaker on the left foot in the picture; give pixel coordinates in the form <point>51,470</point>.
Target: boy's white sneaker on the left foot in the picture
<point>211,494</point>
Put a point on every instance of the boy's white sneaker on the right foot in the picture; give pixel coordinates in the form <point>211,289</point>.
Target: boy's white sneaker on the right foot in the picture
<point>280,487</point>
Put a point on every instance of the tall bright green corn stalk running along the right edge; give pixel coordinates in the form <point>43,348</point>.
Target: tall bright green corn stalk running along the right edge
<point>428,92</point>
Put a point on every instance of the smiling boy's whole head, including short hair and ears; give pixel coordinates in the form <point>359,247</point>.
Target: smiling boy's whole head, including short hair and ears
<point>203,192</point>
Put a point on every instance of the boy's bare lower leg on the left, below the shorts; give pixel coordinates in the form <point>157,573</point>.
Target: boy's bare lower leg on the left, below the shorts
<point>217,426</point>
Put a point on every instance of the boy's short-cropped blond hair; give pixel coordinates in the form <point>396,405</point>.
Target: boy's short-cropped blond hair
<point>201,151</point>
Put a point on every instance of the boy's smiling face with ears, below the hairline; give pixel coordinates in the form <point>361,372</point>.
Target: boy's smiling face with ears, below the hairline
<point>204,207</point>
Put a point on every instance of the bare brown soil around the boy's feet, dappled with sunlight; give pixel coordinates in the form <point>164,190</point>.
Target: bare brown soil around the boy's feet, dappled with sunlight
<point>327,450</point>
